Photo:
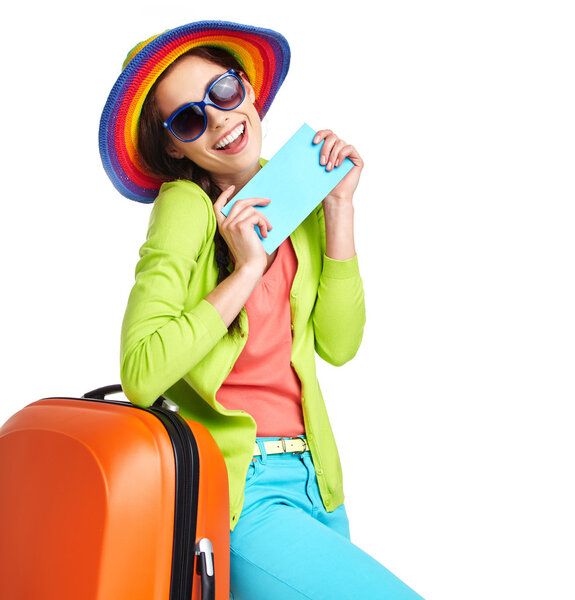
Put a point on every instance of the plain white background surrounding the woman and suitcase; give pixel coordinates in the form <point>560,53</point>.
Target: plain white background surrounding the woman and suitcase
<point>455,421</point>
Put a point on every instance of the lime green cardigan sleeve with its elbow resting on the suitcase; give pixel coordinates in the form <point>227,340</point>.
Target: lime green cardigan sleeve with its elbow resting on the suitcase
<point>162,336</point>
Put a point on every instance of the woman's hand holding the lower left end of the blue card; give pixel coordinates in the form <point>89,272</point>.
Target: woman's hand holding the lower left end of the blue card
<point>238,231</point>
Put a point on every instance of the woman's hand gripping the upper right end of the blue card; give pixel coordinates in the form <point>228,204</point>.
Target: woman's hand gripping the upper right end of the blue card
<point>333,152</point>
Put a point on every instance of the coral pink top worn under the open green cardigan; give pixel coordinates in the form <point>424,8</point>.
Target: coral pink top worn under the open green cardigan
<point>263,382</point>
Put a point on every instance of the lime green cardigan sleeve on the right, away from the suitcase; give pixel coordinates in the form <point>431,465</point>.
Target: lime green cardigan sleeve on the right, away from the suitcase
<point>339,312</point>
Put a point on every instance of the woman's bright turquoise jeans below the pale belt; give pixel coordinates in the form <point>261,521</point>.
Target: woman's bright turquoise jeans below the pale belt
<point>285,545</point>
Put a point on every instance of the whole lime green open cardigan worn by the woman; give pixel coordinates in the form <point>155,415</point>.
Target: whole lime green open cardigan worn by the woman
<point>175,343</point>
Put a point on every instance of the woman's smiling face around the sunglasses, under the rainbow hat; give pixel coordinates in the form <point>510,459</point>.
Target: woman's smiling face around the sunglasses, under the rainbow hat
<point>188,81</point>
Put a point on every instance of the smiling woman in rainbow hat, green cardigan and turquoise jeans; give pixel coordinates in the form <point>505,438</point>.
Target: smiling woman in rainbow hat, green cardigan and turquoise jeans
<point>223,329</point>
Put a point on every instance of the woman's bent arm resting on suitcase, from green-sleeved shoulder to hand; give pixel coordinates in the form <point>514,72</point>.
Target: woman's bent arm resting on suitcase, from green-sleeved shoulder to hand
<point>169,326</point>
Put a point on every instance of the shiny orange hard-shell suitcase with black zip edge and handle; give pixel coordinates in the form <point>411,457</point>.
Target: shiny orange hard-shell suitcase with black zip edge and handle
<point>102,500</point>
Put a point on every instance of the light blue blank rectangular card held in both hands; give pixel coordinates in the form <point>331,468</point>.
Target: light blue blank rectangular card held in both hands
<point>295,183</point>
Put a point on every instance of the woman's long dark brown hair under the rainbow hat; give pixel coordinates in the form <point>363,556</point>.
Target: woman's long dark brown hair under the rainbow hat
<point>153,139</point>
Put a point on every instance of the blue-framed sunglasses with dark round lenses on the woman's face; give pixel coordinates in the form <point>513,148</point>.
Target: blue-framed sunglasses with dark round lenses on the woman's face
<point>189,122</point>
